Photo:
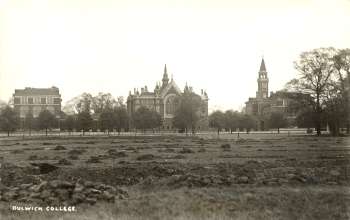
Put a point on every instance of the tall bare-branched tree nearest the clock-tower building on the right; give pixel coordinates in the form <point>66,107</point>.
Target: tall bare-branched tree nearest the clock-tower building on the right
<point>315,68</point>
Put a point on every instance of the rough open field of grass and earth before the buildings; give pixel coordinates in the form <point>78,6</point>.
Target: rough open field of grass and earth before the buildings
<point>258,176</point>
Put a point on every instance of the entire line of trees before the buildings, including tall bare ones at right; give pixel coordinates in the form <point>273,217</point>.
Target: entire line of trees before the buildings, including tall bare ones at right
<point>324,74</point>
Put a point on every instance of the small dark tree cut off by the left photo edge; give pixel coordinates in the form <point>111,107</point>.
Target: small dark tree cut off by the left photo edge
<point>9,120</point>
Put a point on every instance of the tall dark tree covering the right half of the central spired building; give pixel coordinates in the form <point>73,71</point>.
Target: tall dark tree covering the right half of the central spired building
<point>186,114</point>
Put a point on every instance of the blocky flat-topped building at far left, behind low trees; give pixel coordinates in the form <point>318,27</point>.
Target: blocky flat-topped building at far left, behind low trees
<point>35,100</point>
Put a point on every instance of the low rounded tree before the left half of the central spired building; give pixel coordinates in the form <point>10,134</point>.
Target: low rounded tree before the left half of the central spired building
<point>145,119</point>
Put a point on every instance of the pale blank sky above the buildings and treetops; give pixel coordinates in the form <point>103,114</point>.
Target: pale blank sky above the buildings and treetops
<point>114,46</point>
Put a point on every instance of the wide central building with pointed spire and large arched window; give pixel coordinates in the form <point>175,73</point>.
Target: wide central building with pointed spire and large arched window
<point>162,100</point>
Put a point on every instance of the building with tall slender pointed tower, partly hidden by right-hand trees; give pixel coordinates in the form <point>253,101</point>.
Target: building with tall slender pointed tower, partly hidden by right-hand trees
<point>263,105</point>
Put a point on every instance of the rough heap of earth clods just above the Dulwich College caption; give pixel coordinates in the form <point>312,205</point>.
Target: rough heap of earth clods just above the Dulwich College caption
<point>58,192</point>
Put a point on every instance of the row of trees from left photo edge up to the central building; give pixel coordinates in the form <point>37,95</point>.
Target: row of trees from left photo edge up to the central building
<point>101,112</point>
